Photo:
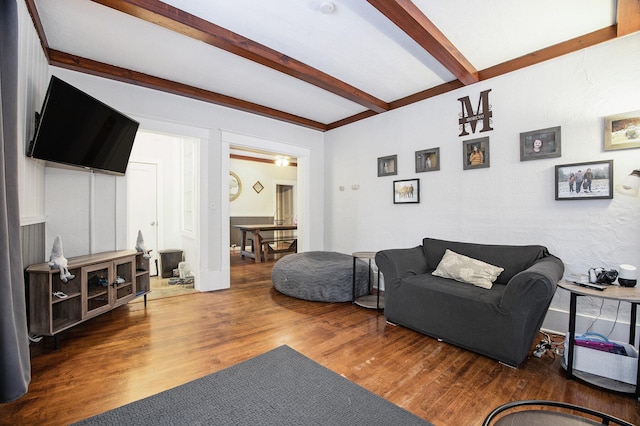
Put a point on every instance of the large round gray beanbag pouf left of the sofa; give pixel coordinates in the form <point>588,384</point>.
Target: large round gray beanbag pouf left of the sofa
<point>320,276</point>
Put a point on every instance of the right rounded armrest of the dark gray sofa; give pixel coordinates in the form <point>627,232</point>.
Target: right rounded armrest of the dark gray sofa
<point>534,286</point>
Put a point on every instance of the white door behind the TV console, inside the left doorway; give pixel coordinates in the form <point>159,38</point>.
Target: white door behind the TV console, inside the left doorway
<point>142,202</point>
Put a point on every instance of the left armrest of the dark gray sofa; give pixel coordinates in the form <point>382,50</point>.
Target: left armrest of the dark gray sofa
<point>398,263</point>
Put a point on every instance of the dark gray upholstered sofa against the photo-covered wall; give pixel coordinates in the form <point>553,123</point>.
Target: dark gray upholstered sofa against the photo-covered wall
<point>500,322</point>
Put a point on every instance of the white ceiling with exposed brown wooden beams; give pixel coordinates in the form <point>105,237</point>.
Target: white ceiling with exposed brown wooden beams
<point>290,60</point>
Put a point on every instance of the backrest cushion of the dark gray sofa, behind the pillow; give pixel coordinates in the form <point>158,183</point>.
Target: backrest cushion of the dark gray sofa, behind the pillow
<point>513,259</point>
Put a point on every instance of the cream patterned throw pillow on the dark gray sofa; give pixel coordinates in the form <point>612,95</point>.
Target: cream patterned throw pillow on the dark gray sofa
<point>467,270</point>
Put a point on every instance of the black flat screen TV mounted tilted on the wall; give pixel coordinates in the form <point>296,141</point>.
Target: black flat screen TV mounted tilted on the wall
<point>75,129</point>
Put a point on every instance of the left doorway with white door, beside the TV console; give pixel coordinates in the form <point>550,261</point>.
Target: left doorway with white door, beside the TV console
<point>162,195</point>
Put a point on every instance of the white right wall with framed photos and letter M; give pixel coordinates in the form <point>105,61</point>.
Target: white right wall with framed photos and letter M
<point>512,202</point>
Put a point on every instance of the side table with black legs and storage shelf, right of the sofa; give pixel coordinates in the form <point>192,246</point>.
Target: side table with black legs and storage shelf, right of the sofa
<point>611,292</point>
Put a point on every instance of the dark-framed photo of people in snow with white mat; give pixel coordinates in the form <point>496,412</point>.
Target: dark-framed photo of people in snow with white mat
<point>585,181</point>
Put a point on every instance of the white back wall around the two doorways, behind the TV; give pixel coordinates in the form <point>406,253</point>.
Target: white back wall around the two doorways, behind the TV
<point>162,112</point>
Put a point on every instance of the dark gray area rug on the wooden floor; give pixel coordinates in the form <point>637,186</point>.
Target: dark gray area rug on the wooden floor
<point>279,387</point>
